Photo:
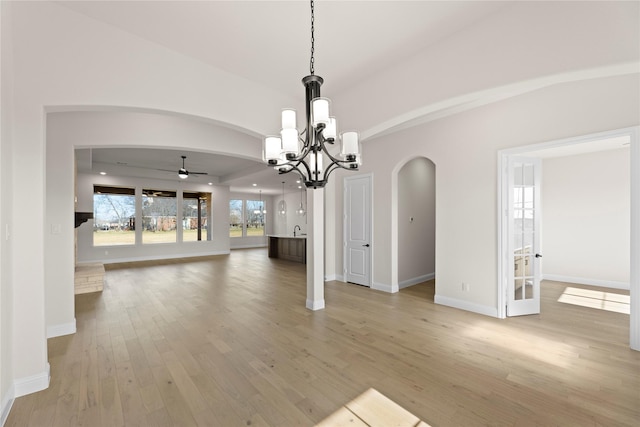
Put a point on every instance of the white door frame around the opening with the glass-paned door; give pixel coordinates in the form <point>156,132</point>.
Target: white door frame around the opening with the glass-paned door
<point>634,285</point>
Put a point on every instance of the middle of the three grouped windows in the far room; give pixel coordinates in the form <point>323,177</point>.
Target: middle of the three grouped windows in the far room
<point>159,210</point>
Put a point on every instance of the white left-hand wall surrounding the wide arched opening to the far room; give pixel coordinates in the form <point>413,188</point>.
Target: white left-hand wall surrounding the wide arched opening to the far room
<point>64,60</point>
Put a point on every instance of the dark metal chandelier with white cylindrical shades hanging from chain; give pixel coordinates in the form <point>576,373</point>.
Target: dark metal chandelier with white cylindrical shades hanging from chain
<point>306,152</point>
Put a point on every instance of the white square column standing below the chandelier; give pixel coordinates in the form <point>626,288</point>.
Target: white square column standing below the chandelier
<point>315,249</point>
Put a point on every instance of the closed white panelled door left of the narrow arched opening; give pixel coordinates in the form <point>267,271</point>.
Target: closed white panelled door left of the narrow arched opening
<point>357,230</point>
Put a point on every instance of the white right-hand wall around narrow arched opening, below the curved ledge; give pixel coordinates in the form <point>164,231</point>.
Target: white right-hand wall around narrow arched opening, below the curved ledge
<point>464,148</point>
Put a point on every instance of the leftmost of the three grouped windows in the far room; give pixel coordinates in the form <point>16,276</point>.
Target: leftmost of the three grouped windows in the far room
<point>114,211</point>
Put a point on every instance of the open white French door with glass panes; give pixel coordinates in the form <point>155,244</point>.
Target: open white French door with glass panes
<point>523,236</point>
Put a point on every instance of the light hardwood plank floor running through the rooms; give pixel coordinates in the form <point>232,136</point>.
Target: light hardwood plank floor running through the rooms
<point>227,341</point>
